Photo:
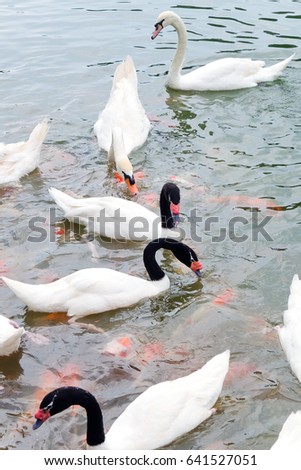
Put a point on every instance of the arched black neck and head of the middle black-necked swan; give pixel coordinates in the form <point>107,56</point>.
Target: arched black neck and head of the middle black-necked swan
<point>181,251</point>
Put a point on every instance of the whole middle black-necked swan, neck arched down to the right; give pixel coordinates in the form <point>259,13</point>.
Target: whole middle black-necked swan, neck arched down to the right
<point>95,290</point>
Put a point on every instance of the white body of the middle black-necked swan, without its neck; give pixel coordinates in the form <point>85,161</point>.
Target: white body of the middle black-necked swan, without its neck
<point>87,291</point>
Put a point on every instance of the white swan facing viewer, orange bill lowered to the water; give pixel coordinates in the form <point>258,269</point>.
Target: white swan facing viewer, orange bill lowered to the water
<point>122,126</point>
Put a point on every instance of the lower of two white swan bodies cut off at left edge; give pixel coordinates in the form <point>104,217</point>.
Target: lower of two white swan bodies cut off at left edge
<point>10,336</point>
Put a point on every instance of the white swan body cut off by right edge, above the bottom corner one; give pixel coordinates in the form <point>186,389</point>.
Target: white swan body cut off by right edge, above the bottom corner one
<point>290,332</point>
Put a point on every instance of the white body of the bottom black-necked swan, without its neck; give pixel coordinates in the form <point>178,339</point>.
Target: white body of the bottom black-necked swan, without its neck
<point>169,409</point>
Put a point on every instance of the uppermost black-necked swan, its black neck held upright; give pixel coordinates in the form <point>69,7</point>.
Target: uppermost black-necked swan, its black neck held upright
<point>120,219</point>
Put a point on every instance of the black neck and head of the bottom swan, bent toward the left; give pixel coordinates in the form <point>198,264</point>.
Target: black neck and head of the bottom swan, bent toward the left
<point>60,399</point>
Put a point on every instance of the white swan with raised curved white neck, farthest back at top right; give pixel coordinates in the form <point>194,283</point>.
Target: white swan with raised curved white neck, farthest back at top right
<point>222,74</point>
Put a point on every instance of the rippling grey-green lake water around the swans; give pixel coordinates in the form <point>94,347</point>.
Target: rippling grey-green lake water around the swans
<point>236,158</point>
